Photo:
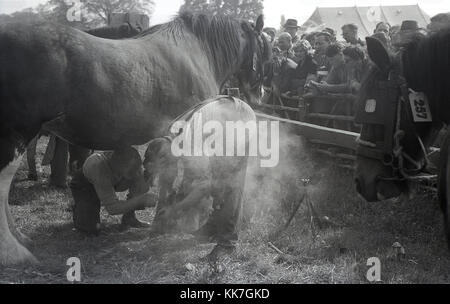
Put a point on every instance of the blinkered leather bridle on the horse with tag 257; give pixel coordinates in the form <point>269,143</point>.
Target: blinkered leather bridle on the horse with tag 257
<point>391,151</point>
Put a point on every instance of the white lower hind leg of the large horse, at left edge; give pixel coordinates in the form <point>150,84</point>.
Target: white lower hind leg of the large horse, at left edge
<point>11,251</point>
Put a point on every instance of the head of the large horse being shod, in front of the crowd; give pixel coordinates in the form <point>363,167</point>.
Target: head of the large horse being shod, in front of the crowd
<point>256,51</point>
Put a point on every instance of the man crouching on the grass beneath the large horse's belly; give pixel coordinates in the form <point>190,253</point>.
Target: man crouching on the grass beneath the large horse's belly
<point>96,184</point>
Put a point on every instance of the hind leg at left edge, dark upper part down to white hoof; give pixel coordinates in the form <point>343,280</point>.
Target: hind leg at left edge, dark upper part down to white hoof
<point>11,251</point>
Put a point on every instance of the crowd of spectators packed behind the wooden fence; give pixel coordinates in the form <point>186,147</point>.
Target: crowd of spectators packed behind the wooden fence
<point>319,63</point>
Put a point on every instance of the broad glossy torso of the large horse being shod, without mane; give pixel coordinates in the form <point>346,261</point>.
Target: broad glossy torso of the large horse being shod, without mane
<point>112,92</point>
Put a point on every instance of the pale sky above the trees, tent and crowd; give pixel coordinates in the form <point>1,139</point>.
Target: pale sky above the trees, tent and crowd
<point>273,9</point>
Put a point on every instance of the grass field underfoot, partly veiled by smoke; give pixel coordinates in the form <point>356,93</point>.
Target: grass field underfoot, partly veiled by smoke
<point>356,231</point>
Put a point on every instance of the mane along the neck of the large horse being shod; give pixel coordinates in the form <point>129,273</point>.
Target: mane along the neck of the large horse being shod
<point>219,34</point>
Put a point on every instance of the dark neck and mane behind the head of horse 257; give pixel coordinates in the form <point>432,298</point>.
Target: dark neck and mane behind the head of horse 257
<point>426,67</point>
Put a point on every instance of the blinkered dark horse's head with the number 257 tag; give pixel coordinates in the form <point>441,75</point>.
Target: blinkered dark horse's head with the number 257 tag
<point>396,125</point>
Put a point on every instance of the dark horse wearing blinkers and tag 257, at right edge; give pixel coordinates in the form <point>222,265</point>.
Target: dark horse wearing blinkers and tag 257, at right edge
<point>404,103</point>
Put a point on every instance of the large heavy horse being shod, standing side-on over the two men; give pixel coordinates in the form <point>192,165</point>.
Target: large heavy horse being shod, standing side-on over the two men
<point>103,94</point>
